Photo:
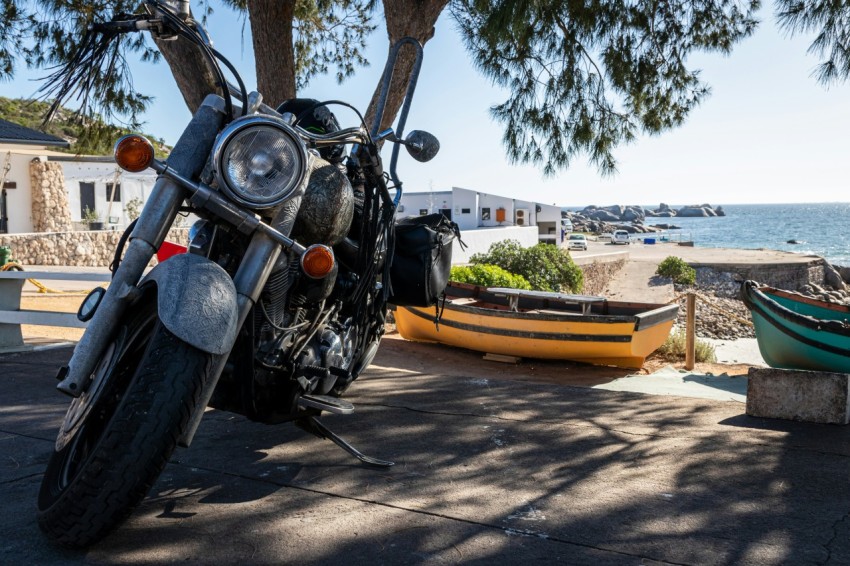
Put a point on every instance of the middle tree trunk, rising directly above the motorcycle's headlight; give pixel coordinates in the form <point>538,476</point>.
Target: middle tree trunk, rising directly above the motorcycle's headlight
<point>271,28</point>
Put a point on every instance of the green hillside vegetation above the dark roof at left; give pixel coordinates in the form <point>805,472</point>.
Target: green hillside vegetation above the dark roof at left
<point>96,138</point>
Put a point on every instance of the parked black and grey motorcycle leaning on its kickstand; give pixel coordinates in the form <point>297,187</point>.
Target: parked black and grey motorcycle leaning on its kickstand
<point>278,306</point>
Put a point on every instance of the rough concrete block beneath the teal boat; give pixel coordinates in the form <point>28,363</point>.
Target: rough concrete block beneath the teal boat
<point>810,396</point>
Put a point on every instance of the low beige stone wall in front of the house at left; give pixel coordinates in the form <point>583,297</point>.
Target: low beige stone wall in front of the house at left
<point>85,249</point>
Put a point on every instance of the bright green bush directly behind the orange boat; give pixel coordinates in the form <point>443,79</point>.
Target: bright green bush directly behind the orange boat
<point>545,266</point>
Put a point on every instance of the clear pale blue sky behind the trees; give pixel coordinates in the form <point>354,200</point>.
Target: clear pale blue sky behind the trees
<point>768,133</point>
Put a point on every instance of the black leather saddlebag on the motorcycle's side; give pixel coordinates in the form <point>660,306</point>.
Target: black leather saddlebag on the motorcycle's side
<point>422,259</point>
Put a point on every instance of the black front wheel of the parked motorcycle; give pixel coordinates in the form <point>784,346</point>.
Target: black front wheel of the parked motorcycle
<point>117,437</point>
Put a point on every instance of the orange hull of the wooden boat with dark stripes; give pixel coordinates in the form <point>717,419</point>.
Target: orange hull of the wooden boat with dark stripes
<point>623,340</point>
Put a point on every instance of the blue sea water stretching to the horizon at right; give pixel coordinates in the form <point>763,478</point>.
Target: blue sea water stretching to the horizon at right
<point>823,229</point>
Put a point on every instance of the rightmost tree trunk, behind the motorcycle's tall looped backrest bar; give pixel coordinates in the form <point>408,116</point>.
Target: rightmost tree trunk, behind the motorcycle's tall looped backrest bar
<point>404,18</point>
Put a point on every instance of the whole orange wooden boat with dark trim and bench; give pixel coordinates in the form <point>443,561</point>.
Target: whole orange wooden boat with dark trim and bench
<point>536,324</point>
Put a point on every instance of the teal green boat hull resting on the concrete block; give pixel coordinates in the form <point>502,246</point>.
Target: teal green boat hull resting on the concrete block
<point>798,332</point>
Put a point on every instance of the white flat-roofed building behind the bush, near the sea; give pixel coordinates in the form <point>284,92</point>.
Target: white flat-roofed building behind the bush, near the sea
<point>484,218</point>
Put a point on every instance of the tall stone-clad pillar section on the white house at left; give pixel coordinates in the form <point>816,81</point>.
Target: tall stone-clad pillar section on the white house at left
<point>50,211</point>
